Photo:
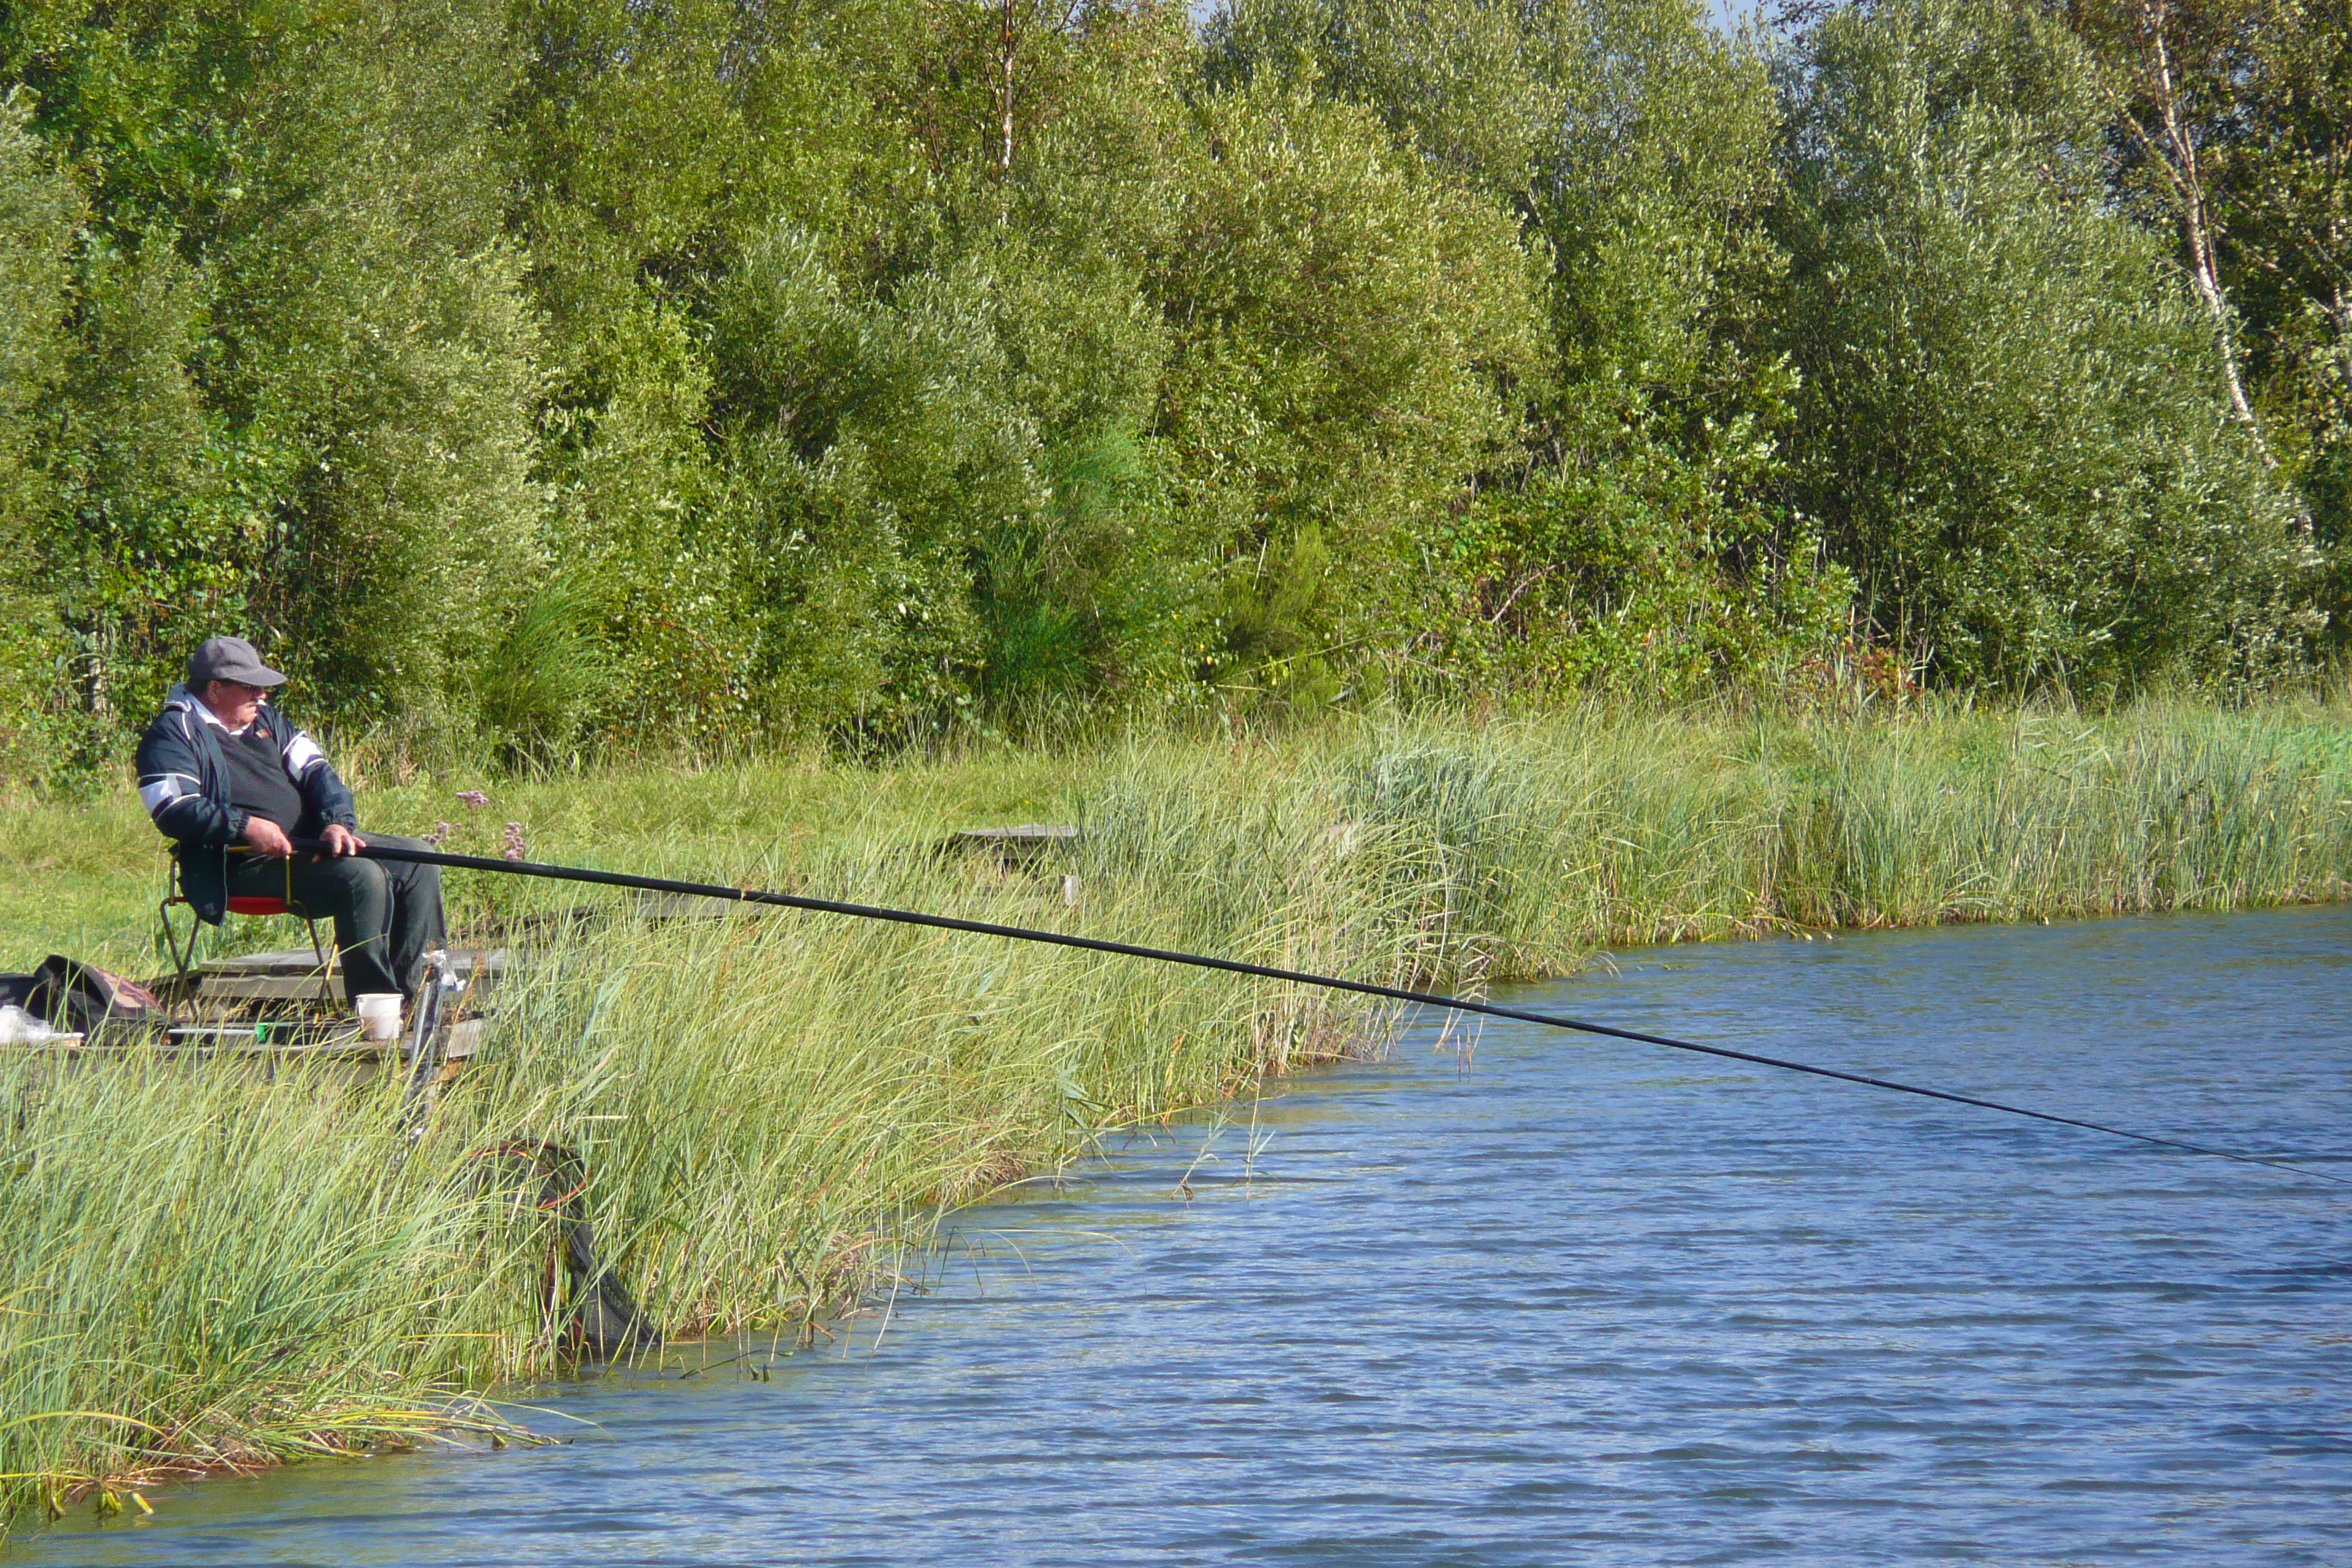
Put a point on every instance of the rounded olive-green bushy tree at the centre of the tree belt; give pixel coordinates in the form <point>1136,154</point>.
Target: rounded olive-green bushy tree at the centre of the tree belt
<point>1351,335</point>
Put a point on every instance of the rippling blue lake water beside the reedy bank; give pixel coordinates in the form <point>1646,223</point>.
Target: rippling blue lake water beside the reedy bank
<point>1561,1301</point>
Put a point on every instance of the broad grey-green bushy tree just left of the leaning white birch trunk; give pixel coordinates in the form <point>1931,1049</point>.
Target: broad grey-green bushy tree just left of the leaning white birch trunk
<point>2012,413</point>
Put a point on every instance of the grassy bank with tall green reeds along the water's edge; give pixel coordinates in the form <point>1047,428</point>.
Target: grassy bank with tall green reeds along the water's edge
<point>218,1271</point>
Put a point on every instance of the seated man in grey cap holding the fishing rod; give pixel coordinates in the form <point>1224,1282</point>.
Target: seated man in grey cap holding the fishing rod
<point>234,784</point>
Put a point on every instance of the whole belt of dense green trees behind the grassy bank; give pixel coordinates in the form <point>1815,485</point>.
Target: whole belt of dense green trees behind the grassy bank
<point>874,366</point>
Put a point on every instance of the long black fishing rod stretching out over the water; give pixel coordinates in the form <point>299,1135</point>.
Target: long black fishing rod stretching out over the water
<point>1267,972</point>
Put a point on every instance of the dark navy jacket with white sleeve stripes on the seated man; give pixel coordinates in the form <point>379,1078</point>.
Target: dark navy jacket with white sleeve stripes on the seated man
<point>185,786</point>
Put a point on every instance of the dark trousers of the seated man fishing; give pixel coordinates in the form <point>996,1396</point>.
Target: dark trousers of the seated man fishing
<point>387,913</point>
